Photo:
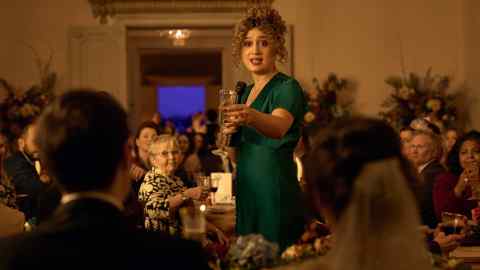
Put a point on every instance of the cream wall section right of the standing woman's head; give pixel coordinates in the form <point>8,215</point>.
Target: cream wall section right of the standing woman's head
<point>361,40</point>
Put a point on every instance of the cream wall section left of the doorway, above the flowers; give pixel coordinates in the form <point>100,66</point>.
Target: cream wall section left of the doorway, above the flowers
<point>41,24</point>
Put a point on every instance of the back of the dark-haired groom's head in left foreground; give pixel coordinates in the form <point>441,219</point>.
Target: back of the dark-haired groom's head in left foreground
<point>81,138</point>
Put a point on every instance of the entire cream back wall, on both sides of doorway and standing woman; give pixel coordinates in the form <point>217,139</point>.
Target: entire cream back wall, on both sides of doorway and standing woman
<point>356,39</point>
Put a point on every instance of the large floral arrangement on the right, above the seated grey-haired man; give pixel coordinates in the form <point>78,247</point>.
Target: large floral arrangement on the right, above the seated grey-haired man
<point>415,97</point>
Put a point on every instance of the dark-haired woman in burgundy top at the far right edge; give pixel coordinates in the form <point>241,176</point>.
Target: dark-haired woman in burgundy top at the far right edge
<point>452,189</point>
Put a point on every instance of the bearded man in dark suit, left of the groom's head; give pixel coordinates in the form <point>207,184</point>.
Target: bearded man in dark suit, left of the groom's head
<point>20,168</point>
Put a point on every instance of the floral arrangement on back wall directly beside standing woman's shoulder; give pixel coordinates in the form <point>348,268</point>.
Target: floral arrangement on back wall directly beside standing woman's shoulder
<point>324,103</point>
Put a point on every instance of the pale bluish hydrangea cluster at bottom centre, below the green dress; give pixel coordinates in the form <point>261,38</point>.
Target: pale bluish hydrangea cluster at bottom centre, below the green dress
<point>251,252</point>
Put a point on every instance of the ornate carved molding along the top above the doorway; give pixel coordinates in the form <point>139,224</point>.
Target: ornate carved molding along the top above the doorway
<point>103,9</point>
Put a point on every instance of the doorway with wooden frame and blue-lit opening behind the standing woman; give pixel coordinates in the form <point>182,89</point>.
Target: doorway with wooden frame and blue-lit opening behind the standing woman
<point>154,63</point>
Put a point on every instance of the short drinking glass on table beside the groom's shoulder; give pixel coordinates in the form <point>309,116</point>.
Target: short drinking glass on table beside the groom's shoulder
<point>194,223</point>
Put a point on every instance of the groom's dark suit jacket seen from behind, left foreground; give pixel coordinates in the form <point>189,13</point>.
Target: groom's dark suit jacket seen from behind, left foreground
<point>92,234</point>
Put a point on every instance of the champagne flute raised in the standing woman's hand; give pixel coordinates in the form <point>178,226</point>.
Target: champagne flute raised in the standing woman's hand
<point>226,97</point>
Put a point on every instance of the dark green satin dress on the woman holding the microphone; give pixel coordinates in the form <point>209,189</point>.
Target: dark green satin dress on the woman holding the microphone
<point>268,195</point>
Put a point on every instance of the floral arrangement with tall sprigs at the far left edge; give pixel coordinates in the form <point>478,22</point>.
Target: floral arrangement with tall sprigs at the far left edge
<point>18,107</point>
